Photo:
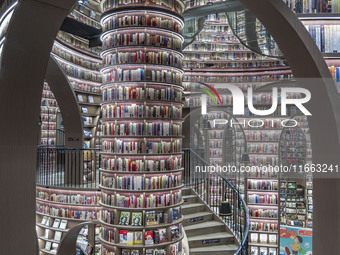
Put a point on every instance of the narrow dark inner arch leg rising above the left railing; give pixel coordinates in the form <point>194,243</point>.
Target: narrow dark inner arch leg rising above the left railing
<point>67,102</point>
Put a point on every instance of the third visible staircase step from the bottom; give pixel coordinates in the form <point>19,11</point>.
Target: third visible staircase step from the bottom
<point>207,227</point>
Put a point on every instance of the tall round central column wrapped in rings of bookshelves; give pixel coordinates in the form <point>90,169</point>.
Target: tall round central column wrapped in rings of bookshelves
<point>141,131</point>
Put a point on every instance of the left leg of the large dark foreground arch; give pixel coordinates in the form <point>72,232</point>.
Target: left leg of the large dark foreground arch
<point>25,56</point>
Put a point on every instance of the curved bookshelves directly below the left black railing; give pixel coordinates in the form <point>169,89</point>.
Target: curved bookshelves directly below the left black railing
<point>58,210</point>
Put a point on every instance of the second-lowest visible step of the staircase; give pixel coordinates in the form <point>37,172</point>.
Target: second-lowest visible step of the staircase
<point>221,238</point>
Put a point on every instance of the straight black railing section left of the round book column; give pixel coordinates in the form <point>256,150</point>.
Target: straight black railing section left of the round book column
<point>63,167</point>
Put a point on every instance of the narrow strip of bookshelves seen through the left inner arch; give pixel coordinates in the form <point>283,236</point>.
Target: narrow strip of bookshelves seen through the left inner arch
<point>48,118</point>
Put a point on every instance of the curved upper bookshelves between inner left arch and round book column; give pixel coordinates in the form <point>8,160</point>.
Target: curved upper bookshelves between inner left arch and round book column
<point>81,65</point>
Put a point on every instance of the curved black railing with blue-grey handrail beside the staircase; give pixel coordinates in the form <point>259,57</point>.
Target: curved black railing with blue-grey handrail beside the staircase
<point>213,189</point>
